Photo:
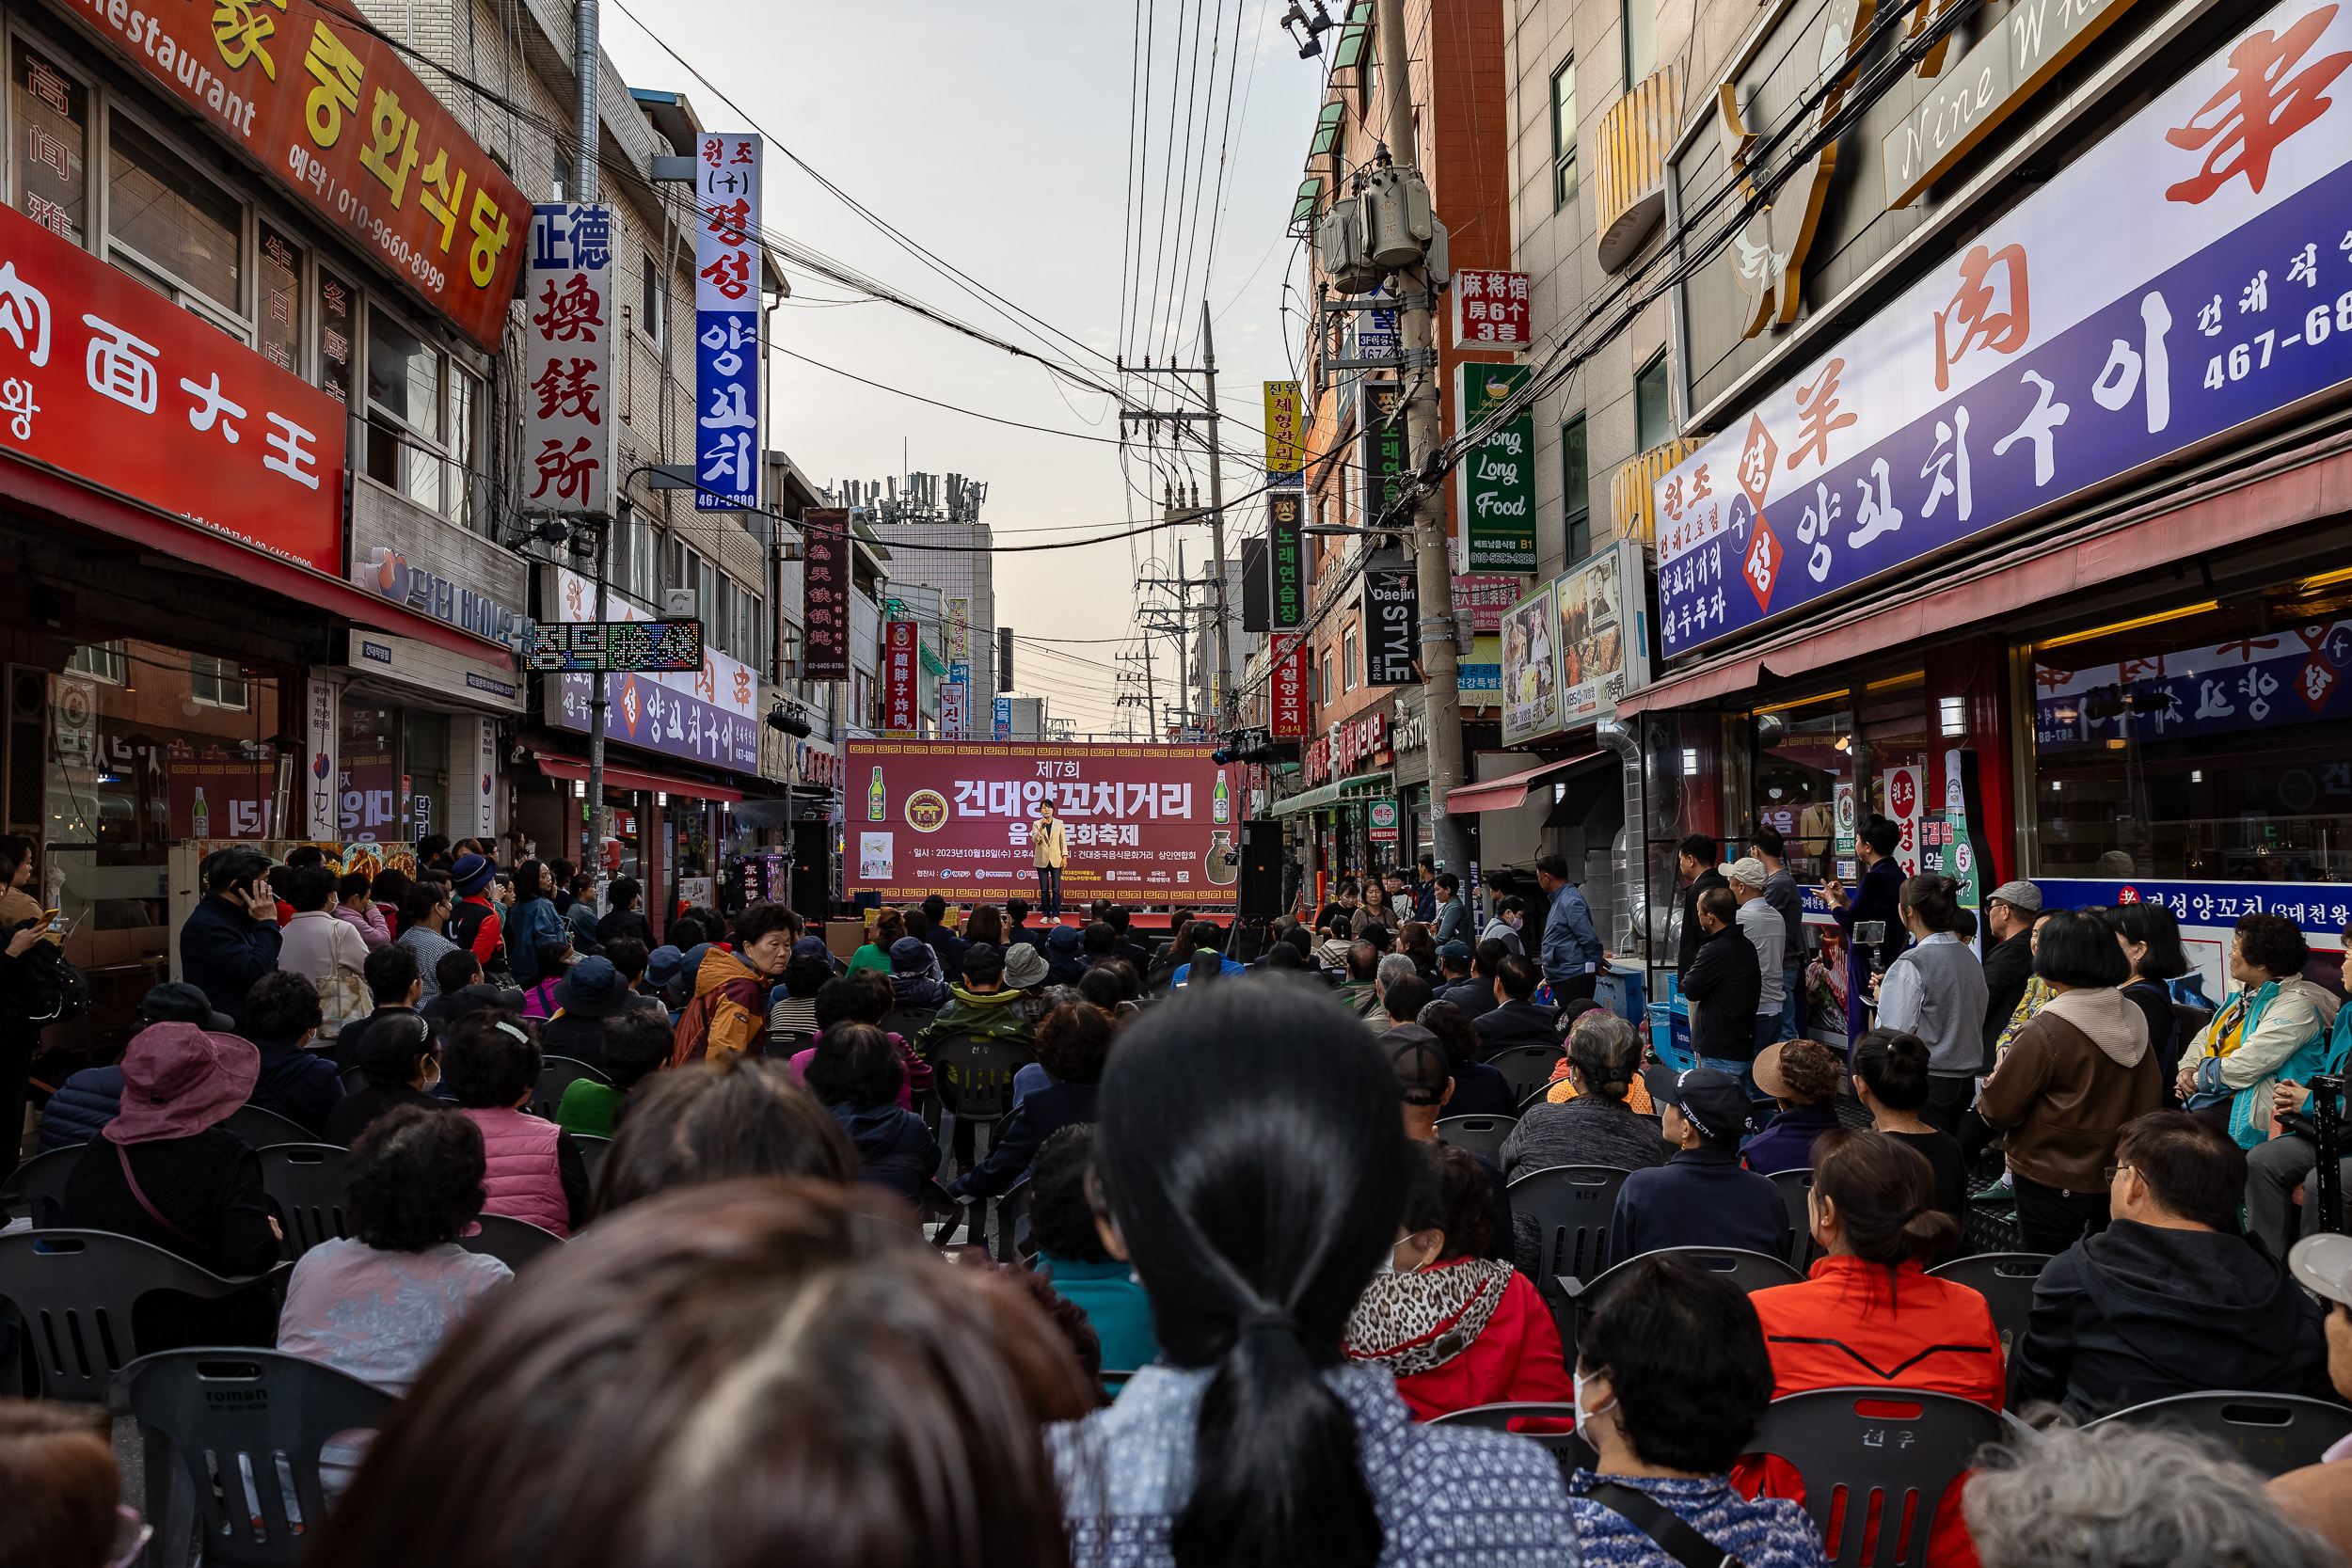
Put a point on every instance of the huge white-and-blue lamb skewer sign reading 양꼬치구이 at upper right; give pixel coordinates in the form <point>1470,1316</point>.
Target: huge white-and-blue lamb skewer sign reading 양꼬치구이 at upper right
<point>2174,283</point>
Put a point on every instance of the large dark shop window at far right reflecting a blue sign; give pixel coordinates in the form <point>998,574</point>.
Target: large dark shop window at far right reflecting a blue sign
<point>2203,746</point>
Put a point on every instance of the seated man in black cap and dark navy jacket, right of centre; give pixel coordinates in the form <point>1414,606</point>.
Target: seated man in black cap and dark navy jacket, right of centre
<point>1702,1195</point>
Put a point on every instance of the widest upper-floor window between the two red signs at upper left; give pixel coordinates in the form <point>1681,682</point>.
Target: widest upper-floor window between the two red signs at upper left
<point>168,225</point>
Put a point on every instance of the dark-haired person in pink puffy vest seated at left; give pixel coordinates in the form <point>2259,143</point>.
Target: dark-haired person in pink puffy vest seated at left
<point>535,1172</point>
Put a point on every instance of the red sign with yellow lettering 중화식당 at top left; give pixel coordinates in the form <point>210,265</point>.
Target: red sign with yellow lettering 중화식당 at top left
<point>342,123</point>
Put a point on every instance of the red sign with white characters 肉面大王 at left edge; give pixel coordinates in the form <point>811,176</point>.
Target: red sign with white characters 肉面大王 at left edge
<point>107,380</point>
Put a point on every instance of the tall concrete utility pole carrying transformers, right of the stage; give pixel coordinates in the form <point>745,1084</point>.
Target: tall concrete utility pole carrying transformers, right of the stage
<point>1417,337</point>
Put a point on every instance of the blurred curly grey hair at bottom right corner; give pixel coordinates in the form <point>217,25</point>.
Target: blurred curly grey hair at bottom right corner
<point>2116,1494</point>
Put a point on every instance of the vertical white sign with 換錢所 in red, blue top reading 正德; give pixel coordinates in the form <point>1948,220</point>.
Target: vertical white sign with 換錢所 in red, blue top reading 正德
<point>568,361</point>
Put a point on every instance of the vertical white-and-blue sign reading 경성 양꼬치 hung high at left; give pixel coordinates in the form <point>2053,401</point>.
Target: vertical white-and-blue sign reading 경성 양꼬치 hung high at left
<point>728,323</point>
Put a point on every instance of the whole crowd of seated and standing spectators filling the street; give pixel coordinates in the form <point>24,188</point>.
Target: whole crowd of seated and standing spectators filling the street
<point>1255,1275</point>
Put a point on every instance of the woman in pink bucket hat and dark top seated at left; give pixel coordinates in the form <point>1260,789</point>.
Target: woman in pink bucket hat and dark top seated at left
<point>166,1172</point>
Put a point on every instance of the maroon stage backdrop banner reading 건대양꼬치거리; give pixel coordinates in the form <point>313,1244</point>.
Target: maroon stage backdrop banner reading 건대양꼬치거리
<point>956,819</point>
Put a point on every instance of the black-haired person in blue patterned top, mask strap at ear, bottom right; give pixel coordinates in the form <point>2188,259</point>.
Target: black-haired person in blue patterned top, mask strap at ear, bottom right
<point>1671,1383</point>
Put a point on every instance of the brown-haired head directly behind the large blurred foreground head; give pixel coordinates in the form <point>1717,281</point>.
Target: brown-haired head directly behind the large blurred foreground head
<point>737,1118</point>
